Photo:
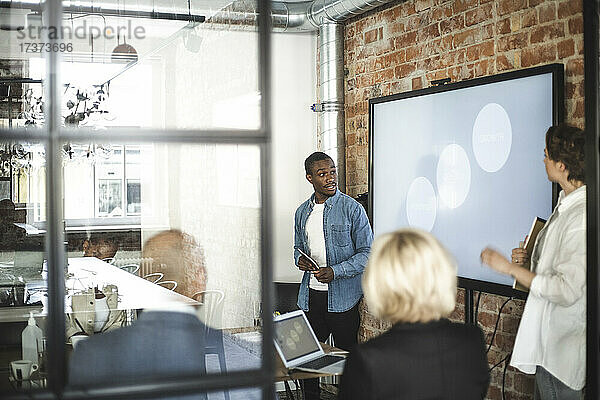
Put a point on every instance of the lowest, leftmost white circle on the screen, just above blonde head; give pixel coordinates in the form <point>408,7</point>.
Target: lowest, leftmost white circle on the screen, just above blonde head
<point>421,204</point>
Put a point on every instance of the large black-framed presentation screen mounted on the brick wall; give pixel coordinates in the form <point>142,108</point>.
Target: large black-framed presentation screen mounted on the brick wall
<point>464,161</point>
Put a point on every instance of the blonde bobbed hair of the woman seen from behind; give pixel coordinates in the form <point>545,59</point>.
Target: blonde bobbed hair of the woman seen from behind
<point>410,277</point>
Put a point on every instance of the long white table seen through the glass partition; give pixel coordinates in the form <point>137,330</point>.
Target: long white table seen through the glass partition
<point>135,293</point>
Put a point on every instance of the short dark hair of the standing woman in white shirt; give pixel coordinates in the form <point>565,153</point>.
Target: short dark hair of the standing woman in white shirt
<point>566,144</point>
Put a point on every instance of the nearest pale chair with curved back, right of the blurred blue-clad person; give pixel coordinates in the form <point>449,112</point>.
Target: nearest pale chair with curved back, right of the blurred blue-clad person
<point>212,315</point>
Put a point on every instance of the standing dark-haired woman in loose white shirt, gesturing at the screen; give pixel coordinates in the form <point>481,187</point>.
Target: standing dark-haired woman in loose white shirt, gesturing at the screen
<point>550,341</point>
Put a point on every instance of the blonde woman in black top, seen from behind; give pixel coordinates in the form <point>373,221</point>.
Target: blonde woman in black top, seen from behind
<point>410,280</point>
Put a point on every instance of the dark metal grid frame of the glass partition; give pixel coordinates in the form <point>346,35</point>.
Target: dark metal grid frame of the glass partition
<point>52,135</point>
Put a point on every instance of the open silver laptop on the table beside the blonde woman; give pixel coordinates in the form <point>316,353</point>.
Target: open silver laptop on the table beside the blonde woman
<point>299,348</point>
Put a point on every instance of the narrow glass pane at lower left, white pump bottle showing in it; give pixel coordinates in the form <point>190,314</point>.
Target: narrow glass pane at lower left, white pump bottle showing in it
<point>23,268</point>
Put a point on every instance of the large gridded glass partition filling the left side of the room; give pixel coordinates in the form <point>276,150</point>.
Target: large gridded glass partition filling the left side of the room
<point>150,231</point>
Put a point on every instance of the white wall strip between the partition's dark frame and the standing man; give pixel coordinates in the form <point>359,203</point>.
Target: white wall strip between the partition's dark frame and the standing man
<point>294,138</point>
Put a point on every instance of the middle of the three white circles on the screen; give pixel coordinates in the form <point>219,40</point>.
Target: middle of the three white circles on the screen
<point>453,176</point>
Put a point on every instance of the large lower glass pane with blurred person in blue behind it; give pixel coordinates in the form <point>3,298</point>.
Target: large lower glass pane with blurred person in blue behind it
<point>186,277</point>
